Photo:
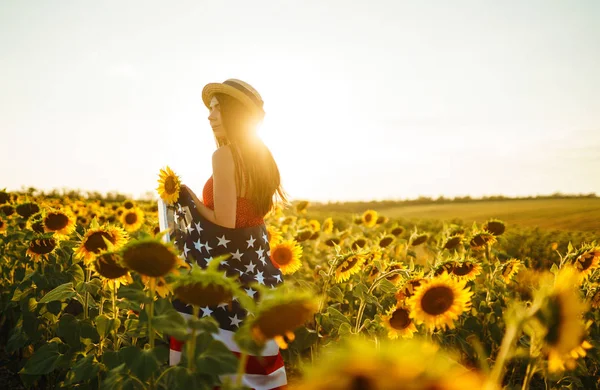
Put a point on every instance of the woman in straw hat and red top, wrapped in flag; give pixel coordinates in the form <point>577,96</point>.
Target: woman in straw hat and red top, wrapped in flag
<point>243,188</point>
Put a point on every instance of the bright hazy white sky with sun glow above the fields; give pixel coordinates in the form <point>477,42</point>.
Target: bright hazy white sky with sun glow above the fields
<point>364,100</point>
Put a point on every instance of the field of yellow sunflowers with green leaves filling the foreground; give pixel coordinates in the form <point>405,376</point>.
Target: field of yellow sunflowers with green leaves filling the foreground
<point>368,302</point>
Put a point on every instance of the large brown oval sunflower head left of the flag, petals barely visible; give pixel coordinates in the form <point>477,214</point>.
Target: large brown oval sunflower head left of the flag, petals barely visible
<point>151,257</point>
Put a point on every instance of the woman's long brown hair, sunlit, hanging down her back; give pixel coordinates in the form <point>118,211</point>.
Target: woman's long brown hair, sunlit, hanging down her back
<point>254,164</point>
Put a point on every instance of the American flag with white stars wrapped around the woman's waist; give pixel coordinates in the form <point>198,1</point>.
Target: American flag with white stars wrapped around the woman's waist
<point>201,241</point>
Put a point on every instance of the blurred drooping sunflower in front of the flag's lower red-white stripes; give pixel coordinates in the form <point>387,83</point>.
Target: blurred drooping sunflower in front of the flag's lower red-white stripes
<point>279,314</point>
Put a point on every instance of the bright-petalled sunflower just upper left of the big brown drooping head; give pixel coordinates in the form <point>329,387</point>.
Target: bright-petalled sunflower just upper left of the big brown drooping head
<point>93,241</point>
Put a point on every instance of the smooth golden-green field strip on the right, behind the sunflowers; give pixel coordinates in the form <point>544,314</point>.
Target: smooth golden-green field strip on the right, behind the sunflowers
<point>559,214</point>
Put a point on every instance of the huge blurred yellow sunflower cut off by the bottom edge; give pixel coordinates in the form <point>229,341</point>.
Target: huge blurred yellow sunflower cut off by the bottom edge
<point>356,363</point>
